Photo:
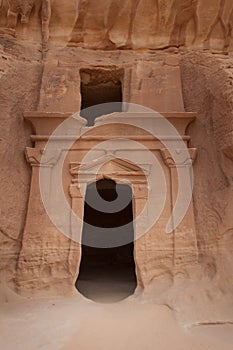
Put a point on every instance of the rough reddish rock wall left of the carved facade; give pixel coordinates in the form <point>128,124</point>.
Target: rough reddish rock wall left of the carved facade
<point>19,82</point>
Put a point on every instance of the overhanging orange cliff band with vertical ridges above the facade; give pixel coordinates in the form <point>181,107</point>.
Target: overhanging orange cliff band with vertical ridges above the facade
<point>119,24</point>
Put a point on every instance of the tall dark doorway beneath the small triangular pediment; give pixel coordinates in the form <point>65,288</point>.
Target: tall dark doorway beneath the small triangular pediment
<point>107,269</point>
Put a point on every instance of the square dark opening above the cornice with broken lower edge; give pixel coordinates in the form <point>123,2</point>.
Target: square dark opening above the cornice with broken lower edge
<point>100,86</point>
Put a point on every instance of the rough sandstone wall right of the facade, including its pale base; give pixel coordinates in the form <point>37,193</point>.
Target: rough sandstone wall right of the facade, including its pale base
<point>207,88</point>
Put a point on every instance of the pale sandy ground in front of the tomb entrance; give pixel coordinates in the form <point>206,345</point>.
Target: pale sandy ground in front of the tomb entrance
<point>78,323</point>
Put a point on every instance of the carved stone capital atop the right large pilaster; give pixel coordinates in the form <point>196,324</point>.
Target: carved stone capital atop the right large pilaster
<point>184,157</point>
